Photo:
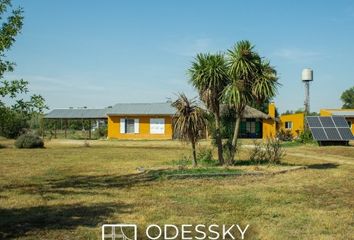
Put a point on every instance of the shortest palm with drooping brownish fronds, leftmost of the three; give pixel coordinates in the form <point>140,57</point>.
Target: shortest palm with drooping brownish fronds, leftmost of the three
<point>189,121</point>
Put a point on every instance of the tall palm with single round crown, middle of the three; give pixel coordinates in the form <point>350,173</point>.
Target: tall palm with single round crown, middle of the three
<point>208,74</point>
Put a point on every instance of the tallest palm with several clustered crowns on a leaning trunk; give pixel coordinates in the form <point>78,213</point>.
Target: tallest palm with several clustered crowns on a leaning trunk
<point>251,80</point>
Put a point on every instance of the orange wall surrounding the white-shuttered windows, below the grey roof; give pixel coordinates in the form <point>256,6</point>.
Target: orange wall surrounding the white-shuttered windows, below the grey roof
<point>144,128</point>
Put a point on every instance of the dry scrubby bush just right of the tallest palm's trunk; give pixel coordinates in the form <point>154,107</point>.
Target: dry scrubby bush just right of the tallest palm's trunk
<point>269,152</point>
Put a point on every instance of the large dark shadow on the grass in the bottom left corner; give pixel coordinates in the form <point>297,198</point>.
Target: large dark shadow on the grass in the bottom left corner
<point>17,222</point>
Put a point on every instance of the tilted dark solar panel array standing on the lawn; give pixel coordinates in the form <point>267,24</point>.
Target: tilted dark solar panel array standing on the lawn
<point>329,128</point>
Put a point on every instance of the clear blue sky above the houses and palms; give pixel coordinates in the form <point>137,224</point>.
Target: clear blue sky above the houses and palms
<point>98,53</point>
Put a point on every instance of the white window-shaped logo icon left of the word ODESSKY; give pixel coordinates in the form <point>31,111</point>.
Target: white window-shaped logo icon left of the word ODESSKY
<point>119,232</point>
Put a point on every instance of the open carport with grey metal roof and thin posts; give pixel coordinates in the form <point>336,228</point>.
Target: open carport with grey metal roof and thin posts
<point>83,114</point>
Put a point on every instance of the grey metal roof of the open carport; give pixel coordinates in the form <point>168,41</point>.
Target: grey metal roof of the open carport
<point>77,114</point>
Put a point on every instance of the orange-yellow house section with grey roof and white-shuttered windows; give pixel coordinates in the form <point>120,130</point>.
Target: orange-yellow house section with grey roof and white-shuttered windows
<point>140,121</point>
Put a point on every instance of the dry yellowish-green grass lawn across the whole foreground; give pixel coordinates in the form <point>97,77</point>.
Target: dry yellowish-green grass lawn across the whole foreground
<point>67,191</point>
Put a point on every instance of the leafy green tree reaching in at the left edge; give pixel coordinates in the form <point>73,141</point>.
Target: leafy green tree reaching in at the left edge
<point>21,110</point>
